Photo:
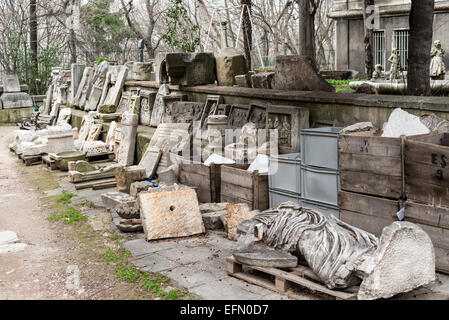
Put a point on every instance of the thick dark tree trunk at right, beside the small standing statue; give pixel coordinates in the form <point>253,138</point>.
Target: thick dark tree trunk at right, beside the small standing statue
<point>420,45</point>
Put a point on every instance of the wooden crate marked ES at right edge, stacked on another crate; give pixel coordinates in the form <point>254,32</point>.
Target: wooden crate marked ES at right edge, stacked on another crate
<point>427,169</point>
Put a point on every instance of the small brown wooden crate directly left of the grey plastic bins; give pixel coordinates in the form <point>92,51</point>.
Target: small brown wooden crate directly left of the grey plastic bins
<point>240,186</point>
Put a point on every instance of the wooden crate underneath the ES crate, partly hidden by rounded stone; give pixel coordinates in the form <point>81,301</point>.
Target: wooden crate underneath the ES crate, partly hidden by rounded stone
<point>435,222</point>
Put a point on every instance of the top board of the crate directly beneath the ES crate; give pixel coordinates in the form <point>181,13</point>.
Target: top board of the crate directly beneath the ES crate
<point>427,214</point>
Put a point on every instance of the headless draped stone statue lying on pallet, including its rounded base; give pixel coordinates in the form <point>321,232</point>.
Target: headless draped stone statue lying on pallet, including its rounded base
<point>341,255</point>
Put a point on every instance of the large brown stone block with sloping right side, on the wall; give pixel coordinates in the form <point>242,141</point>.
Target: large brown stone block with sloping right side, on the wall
<point>296,73</point>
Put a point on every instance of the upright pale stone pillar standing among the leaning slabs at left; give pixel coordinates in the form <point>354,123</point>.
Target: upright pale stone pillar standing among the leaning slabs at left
<point>127,148</point>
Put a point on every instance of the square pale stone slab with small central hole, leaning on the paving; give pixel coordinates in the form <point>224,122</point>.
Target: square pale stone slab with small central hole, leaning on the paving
<point>170,214</point>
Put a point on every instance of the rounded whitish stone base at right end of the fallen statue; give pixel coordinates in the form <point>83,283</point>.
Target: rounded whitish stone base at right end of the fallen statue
<point>404,261</point>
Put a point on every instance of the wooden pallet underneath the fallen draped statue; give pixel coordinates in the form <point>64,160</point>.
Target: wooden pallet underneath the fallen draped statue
<point>283,280</point>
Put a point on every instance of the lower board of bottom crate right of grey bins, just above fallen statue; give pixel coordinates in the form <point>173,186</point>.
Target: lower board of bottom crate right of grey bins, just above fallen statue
<point>371,224</point>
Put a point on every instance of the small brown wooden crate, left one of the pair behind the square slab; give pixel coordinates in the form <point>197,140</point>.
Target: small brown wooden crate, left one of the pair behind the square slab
<point>206,179</point>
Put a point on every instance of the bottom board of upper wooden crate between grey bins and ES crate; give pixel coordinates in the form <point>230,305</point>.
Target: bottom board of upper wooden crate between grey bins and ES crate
<point>372,184</point>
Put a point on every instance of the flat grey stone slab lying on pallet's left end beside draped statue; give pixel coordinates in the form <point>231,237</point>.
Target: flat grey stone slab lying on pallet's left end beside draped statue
<point>267,259</point>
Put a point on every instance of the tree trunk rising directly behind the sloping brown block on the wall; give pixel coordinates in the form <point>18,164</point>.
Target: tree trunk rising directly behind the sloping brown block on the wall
<point>307,31</point>
